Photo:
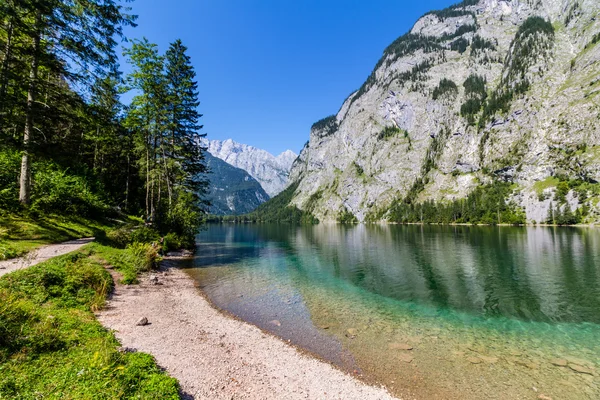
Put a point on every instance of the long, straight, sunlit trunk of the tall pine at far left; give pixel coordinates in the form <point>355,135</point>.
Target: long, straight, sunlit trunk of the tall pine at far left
<point>25,179</point>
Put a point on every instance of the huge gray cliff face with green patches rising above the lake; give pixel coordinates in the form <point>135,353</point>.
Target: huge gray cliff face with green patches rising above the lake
<point>401,126</point>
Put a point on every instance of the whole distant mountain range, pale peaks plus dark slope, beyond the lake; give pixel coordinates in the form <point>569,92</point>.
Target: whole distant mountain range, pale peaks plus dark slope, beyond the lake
<point>242,177</point>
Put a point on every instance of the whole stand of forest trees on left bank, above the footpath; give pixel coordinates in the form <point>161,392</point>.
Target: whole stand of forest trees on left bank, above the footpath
<point>68,146</point>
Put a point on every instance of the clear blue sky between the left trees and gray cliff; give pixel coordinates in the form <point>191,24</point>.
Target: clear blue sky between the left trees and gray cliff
<point>268,69</point>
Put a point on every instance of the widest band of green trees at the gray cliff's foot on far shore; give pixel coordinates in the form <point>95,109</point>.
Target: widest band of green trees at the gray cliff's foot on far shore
<point>485,205</point>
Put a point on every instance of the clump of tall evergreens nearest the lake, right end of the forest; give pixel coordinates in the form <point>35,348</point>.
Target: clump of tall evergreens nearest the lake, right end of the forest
<point>163,117</point>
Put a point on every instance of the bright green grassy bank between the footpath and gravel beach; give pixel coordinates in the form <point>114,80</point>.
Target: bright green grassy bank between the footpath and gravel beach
<point>51,345</point>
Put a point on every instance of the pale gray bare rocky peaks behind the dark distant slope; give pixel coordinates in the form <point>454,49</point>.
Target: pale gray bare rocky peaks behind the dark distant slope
<point>272,172</point>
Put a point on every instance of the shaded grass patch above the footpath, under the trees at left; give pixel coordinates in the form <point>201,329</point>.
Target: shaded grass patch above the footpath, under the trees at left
<point>21,234</point>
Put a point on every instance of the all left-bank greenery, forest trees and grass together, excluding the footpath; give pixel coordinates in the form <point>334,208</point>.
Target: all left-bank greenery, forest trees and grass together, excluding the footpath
<point>77,162</point>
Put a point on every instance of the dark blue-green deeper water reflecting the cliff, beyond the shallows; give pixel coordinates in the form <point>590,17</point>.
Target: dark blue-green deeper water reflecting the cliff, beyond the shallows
<point>535,273</point>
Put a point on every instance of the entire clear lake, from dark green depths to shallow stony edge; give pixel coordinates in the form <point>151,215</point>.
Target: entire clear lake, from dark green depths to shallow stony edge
<point>432,312</point>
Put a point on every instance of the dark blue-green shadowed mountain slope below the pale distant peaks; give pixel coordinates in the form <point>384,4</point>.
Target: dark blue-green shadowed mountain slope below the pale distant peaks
<point>232,190</point>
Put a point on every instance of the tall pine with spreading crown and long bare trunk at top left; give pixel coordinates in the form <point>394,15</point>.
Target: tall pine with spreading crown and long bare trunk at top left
<point>69,40</point>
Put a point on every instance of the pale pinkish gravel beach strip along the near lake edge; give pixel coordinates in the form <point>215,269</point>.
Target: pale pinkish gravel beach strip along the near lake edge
<point>214,356</point>
